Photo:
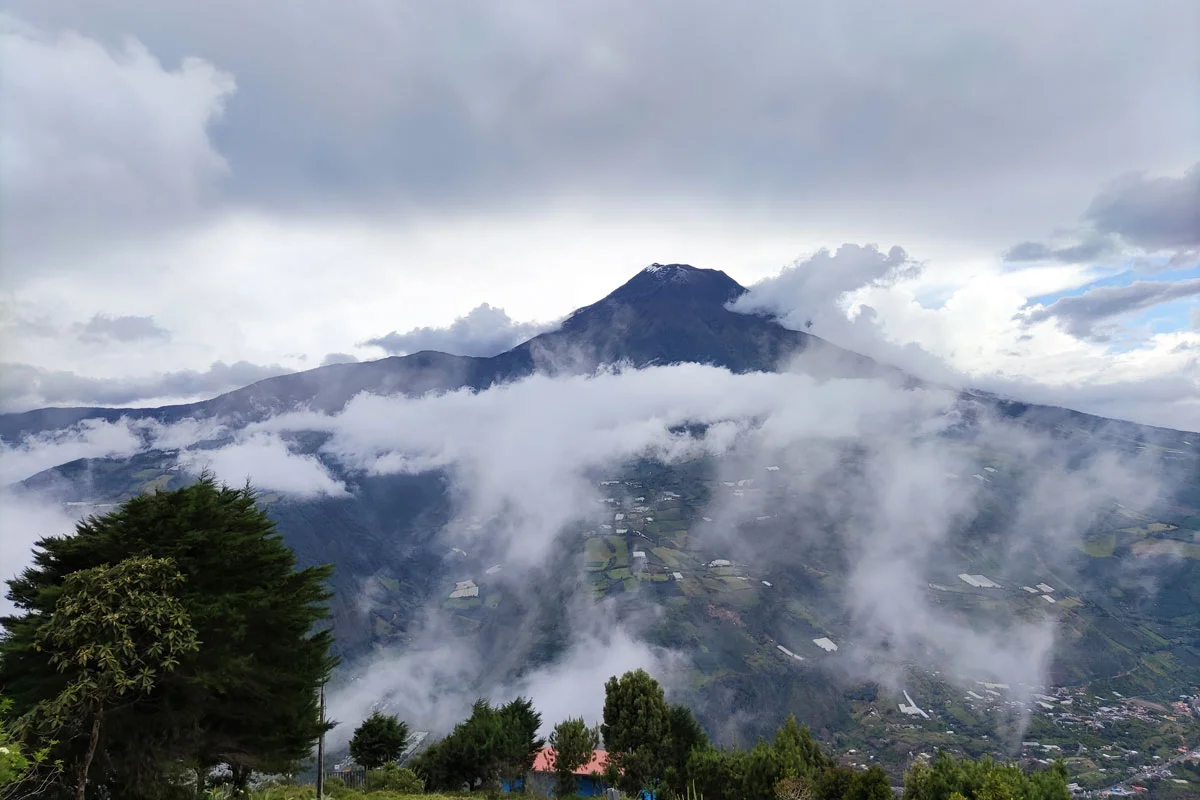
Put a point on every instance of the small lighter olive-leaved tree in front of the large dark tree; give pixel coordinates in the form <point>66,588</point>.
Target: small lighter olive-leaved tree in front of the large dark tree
<point>113,634</point>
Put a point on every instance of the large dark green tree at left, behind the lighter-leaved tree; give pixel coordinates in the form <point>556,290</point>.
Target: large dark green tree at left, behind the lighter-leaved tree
<point>248,697</point>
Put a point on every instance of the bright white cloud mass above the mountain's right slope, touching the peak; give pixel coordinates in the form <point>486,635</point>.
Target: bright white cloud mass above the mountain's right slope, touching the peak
<point>980,334</point>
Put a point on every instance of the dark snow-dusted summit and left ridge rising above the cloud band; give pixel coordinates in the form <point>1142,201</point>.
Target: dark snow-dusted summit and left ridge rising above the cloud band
<point>664,315</point>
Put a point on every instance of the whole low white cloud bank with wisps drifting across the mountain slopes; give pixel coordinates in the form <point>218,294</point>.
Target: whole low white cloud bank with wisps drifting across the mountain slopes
<point>895,476</point>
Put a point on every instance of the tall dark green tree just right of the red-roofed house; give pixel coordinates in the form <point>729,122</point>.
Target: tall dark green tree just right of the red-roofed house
<point>635,730</point>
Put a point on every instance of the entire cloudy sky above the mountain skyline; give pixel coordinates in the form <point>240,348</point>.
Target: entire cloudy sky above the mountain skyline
<point>197,196</point>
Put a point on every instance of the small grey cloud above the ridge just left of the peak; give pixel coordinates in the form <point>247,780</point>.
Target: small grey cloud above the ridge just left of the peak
<point>484,332</point>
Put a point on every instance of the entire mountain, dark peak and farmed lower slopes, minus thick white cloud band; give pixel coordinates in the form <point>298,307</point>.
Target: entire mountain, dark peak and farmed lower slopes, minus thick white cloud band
<point>741,564</point>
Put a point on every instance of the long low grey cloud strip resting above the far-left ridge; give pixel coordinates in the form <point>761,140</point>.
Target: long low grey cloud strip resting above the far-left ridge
<point>25,387</point>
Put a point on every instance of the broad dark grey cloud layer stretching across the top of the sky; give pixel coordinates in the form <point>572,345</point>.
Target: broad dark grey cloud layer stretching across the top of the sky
<point>901,111</point>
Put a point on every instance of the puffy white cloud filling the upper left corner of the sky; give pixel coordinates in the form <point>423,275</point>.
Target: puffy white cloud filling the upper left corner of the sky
<point>99,142</point>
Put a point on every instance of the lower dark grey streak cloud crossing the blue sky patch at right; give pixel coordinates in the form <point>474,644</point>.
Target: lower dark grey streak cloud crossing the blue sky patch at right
<point>1083,315</point>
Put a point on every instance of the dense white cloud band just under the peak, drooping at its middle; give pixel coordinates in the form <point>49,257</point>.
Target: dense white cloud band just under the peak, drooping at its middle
<point>511,444</point>
